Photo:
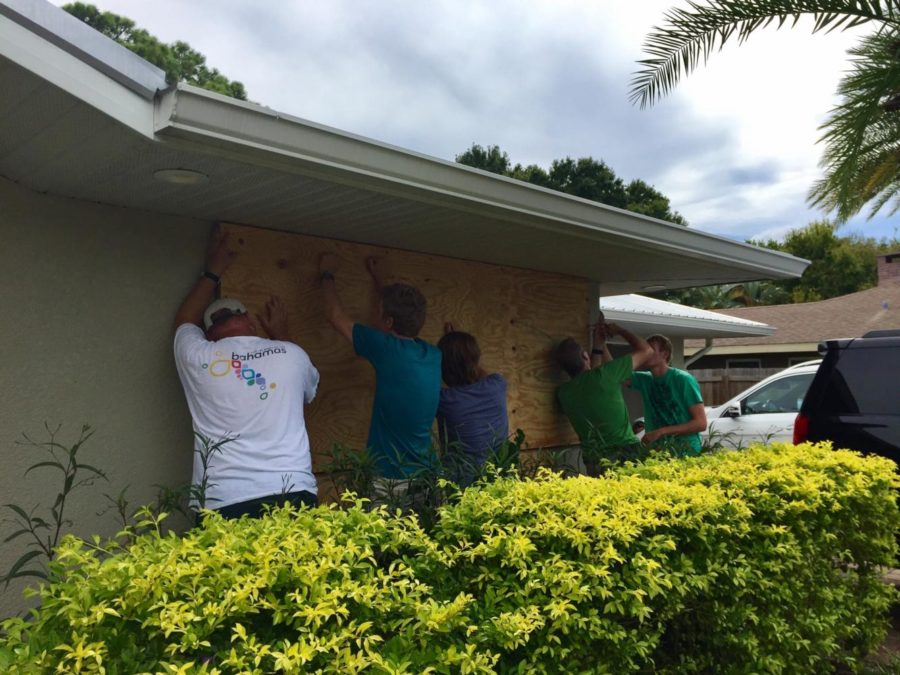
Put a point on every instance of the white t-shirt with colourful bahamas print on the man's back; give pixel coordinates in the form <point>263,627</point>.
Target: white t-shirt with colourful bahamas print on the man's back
<point>250,390</point>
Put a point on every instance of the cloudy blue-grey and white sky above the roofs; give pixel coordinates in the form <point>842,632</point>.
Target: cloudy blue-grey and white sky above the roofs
<point>734,147</point>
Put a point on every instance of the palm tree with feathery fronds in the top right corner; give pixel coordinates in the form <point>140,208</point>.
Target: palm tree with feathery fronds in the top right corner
<point>861,159</point>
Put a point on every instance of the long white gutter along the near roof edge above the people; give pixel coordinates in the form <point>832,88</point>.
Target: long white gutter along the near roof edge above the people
<point>214,120</point>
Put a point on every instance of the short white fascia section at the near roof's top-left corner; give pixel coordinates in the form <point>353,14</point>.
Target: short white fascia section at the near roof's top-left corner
<point>74,37</point>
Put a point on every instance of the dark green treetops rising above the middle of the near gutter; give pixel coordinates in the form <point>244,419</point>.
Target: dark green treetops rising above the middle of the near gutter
<point>585,177</point>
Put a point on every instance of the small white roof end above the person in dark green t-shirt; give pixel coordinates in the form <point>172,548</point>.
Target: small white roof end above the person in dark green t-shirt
<point>643,315</point>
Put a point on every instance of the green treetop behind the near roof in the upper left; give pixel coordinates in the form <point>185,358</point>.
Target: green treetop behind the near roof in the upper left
<point>178,60</point>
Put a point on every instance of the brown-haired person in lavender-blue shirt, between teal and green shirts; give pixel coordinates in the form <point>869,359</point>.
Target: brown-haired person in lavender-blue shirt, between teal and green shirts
<point>472,417</point>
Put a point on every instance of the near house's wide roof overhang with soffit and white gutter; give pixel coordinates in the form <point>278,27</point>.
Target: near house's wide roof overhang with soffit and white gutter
<point>81,120</point>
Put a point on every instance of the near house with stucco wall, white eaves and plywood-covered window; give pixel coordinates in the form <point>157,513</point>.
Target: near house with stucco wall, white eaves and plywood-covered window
<point>110,180</point>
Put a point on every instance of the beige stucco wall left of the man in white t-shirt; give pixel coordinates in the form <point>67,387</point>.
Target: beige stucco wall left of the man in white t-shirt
<point>88,295</point>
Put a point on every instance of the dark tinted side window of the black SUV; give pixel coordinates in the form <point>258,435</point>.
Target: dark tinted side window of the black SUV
<point>863,381</point>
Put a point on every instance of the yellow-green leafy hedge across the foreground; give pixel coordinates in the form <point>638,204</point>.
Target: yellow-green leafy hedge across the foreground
<point>759,561</point>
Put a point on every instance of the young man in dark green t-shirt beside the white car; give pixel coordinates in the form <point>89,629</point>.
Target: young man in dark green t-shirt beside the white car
<point>673,407</point>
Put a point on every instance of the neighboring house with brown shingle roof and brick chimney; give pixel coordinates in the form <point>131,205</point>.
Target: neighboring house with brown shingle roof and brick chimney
<point>800,327</point>
